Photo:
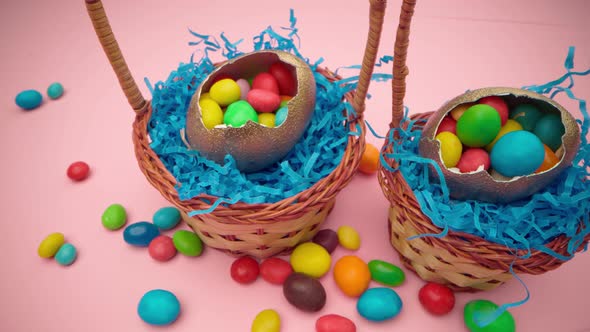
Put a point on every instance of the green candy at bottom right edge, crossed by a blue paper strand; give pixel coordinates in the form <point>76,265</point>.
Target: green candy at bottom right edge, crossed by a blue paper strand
<point>481,308</point>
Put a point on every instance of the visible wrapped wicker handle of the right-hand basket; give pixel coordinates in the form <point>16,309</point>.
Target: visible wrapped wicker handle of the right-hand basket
<point>400,70</point>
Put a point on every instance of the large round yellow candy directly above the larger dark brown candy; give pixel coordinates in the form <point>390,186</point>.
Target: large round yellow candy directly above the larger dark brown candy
<point>311,259</point>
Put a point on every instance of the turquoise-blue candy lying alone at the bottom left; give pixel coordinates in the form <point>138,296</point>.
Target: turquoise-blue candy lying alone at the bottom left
<point>158,307</point>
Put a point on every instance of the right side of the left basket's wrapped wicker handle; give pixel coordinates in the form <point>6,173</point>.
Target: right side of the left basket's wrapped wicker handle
<point>376,14</point>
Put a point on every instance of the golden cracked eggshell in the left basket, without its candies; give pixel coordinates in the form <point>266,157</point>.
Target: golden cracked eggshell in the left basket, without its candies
<point>254,146</point>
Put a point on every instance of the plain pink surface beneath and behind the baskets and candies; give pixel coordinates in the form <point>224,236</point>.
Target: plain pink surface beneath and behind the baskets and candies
<point>456,45</point>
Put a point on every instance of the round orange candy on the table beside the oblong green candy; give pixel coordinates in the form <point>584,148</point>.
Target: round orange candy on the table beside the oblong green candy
<point>352,275</point>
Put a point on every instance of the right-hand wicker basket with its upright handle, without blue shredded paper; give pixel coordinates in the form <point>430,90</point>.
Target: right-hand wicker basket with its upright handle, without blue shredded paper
<point>462,261</point>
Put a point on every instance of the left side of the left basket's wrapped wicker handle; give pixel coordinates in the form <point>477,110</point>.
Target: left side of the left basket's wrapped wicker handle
<point>113,52</point>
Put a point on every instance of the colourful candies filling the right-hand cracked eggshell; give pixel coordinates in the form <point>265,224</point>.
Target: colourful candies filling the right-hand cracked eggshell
<point>486,136</point>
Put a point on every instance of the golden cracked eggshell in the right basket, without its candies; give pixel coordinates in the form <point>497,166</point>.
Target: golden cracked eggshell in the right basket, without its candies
<point>481,185</point>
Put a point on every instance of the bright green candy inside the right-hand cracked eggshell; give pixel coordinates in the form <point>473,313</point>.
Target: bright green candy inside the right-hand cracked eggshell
<point>478,126</point>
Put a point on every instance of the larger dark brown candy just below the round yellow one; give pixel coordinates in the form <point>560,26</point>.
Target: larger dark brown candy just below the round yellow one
<point>304,292</point>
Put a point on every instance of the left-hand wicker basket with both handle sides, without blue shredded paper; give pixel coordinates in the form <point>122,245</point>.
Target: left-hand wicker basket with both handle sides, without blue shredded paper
<point>259,230</point>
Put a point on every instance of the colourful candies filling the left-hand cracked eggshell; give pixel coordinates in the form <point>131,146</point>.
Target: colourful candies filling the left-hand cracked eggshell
<point>262,99</point>
